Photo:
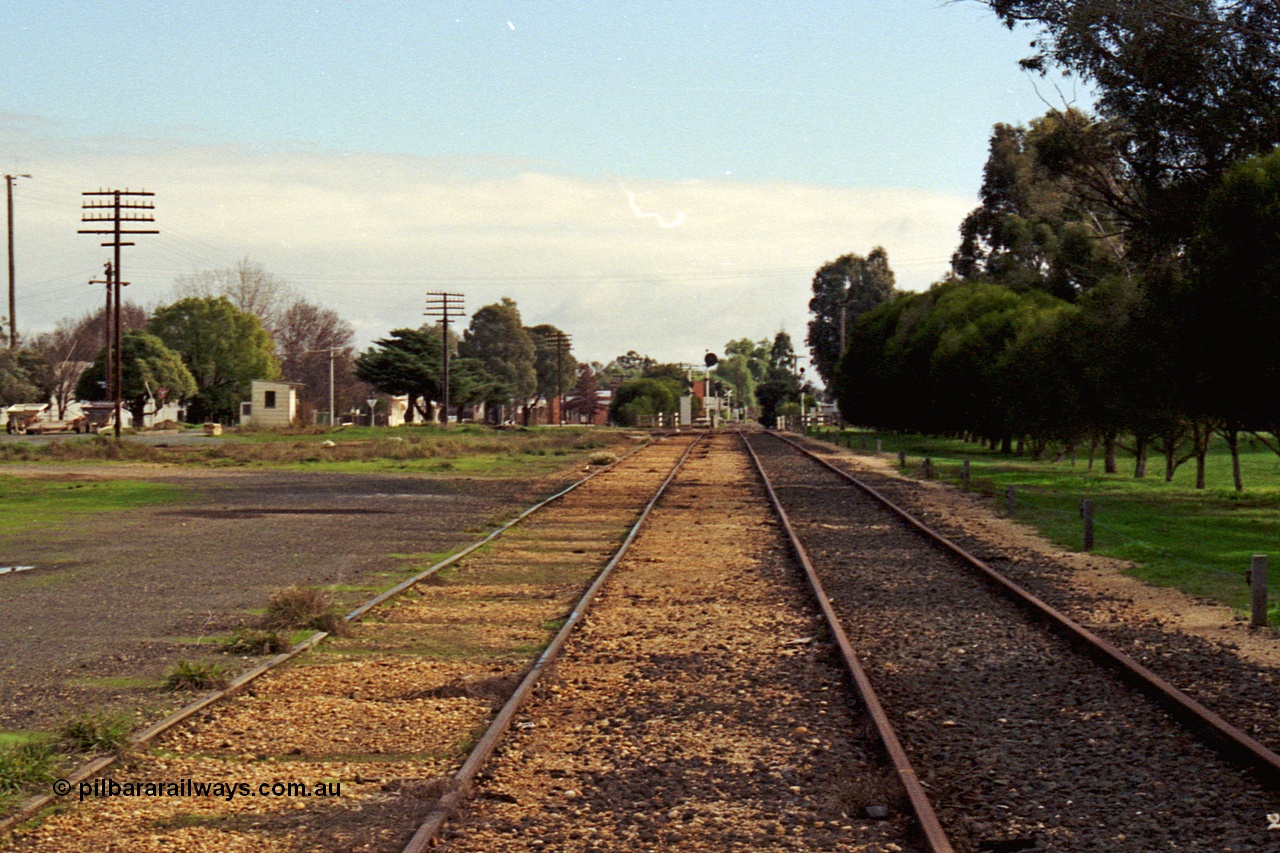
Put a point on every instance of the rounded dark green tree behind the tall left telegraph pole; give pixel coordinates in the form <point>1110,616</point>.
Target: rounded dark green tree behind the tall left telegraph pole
<point>150,373</point>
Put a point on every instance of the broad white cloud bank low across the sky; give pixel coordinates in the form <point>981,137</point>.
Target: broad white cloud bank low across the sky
<point>665,268</point>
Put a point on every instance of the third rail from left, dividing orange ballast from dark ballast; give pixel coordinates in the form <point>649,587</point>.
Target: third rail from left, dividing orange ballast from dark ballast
<point>926,818</point>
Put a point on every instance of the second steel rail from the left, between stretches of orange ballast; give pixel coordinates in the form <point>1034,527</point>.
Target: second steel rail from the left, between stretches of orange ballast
<point>460,786</point>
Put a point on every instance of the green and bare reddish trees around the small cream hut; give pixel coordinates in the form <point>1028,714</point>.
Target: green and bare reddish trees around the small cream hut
<point>223,330</point>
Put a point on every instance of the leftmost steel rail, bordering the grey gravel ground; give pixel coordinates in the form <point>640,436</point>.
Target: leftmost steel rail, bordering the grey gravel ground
<point>100,764</point>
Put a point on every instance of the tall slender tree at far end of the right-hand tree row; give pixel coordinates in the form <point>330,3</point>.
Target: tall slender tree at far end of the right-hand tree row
<point>844,290</point>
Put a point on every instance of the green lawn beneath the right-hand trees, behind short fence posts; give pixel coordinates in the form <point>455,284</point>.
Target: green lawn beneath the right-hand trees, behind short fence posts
<point>1199,541</point>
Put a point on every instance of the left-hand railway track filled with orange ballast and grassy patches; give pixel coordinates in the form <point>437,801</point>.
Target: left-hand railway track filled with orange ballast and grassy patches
<point>367,727</point>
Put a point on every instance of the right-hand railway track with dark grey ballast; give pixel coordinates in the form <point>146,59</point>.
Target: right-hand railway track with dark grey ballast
<point>1022,740</point>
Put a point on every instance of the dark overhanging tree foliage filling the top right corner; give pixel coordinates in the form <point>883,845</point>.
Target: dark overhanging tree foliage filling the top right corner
<point>1185,89</point>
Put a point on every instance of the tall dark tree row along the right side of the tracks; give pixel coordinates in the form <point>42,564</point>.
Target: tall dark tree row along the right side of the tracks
<point>1118,284</point>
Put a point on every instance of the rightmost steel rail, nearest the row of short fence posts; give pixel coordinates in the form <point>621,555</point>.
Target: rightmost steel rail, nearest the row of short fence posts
<point>1209,727</point>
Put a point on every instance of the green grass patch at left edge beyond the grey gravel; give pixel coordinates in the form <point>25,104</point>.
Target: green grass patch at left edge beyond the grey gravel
<point>28,504</point>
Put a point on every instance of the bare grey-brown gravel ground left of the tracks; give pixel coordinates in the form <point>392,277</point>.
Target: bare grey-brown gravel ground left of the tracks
<point>116,600</point>
